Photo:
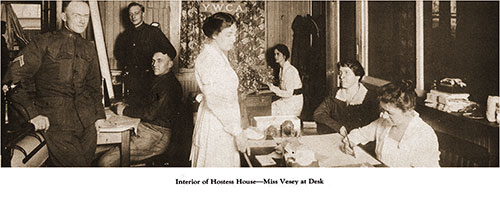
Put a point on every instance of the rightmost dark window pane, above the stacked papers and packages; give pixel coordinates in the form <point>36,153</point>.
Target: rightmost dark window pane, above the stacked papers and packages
<point>461,40</point>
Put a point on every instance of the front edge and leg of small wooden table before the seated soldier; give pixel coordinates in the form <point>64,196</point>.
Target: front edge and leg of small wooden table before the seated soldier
<point>118,137</point>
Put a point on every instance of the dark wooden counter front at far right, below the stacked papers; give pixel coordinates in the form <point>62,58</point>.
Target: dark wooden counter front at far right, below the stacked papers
<point>463,142</point>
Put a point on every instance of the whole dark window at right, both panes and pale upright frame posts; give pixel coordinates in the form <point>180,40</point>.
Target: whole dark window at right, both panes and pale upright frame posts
<point>430,40</point>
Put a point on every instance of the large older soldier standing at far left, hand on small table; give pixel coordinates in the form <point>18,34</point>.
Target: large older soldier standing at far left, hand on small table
<point>60,88</point>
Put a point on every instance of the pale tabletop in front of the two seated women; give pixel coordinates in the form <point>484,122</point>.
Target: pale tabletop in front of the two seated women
<point>327,150</point>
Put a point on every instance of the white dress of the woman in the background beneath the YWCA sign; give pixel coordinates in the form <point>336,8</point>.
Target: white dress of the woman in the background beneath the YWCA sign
<point>288,104</point>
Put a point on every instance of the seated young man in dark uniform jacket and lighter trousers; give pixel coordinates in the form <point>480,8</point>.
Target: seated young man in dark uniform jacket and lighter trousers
<point>157,112</point>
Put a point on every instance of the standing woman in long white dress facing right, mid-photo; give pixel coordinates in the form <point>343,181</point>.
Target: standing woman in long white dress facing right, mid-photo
<point>217,136</point>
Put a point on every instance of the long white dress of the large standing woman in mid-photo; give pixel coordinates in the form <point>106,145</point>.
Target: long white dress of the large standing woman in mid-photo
<point>218,119</point>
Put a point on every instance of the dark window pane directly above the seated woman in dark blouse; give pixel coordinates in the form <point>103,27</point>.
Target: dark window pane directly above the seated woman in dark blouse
<point>391,37</point>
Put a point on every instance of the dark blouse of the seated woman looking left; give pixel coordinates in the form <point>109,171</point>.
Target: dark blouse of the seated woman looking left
<point>333,113</point>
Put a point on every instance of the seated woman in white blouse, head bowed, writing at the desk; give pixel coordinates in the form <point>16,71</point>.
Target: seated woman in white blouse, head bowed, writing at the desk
<point>402,138</point>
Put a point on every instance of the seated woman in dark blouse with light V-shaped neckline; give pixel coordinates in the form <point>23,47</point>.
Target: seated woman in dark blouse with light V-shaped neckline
<point>352,106</point>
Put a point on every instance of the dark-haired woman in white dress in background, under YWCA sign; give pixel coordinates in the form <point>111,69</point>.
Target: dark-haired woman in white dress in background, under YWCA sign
<point>290,89</point>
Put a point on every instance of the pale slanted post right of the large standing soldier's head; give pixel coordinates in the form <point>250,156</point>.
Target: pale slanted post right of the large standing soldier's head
<point>101,48</point>
